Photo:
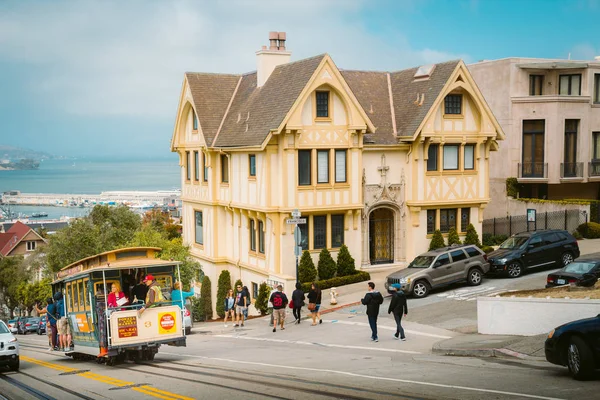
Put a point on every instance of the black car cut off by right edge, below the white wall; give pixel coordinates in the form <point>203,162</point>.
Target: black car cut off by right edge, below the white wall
<point>577,346</point>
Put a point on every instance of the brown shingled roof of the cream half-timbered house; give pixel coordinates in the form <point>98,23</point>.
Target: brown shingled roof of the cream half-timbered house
<point>233,112</point>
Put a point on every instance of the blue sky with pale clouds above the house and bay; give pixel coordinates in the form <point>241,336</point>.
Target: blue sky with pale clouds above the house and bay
<point>102,78</point>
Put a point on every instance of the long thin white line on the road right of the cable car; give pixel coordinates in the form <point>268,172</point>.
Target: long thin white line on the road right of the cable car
<point>380,378</point>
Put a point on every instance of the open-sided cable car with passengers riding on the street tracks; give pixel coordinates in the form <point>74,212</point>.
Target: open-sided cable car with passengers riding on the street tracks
<point>127,330</point>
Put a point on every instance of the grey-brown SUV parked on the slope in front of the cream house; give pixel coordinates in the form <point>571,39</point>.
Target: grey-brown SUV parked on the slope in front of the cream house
<point>441,267</point>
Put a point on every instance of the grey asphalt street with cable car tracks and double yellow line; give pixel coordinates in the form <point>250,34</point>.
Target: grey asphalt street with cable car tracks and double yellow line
<point>332,360</point>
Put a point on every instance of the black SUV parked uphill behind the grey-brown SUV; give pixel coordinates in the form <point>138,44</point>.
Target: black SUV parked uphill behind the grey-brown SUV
<point>549,248</point>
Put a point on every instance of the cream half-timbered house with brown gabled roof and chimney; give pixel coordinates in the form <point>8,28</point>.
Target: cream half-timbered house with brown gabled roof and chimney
<point>373,160</point>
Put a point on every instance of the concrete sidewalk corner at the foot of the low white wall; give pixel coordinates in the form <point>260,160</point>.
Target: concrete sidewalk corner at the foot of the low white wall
<point>476,345</point>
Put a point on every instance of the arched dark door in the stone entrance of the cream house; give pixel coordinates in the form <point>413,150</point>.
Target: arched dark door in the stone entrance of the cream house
<point>381,236</point>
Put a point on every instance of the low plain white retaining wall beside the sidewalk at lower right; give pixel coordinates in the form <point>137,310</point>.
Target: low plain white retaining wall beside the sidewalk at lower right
<point>529,316</point>
